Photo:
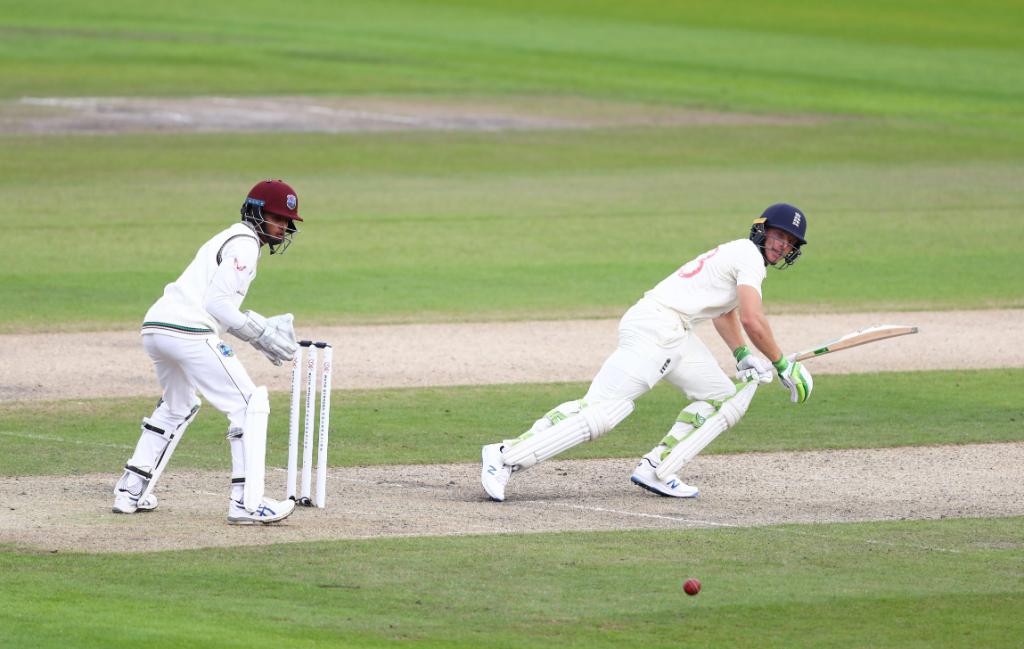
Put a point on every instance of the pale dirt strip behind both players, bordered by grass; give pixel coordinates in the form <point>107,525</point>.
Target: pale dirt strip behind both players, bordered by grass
<point>113,364</point>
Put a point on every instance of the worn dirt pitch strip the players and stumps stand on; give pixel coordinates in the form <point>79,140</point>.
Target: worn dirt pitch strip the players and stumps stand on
<point>72,514</point>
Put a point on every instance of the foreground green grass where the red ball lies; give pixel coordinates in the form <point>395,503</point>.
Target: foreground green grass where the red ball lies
<point>930,584</point>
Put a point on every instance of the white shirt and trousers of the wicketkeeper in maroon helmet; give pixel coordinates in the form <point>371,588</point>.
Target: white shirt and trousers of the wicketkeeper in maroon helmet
<point>183,330</point>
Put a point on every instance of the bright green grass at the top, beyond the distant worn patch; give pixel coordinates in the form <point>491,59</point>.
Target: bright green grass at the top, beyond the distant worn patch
<point>938,61</point>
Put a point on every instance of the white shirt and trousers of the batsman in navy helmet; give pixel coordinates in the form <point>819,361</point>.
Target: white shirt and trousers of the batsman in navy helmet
<point>657,338</point>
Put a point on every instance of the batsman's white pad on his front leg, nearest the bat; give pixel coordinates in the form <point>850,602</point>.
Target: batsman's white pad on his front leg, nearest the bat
<point>700,424</point>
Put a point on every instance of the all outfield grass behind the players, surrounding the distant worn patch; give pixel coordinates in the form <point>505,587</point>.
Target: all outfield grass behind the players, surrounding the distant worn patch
<point>910,175</point>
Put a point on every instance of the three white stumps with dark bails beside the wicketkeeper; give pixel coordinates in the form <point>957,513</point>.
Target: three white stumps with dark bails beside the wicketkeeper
<point>325,423</point>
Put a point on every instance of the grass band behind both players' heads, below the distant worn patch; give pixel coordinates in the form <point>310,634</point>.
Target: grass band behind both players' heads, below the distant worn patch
<point>553,225</point>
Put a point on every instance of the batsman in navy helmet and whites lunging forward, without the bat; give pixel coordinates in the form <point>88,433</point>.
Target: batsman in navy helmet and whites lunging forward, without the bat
<point>657,341</point>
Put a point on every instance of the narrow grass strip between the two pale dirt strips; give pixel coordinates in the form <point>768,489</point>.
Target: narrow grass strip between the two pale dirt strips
<point>440,425</point>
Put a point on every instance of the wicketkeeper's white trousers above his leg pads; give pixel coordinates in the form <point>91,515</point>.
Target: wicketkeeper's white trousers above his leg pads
<point>207,365</point>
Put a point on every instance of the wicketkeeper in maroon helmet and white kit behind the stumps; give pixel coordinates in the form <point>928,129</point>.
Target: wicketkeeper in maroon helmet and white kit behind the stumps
<point>183,335</point>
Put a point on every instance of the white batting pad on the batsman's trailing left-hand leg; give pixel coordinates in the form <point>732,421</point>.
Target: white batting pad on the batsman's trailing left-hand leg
<point>592,422</point>
